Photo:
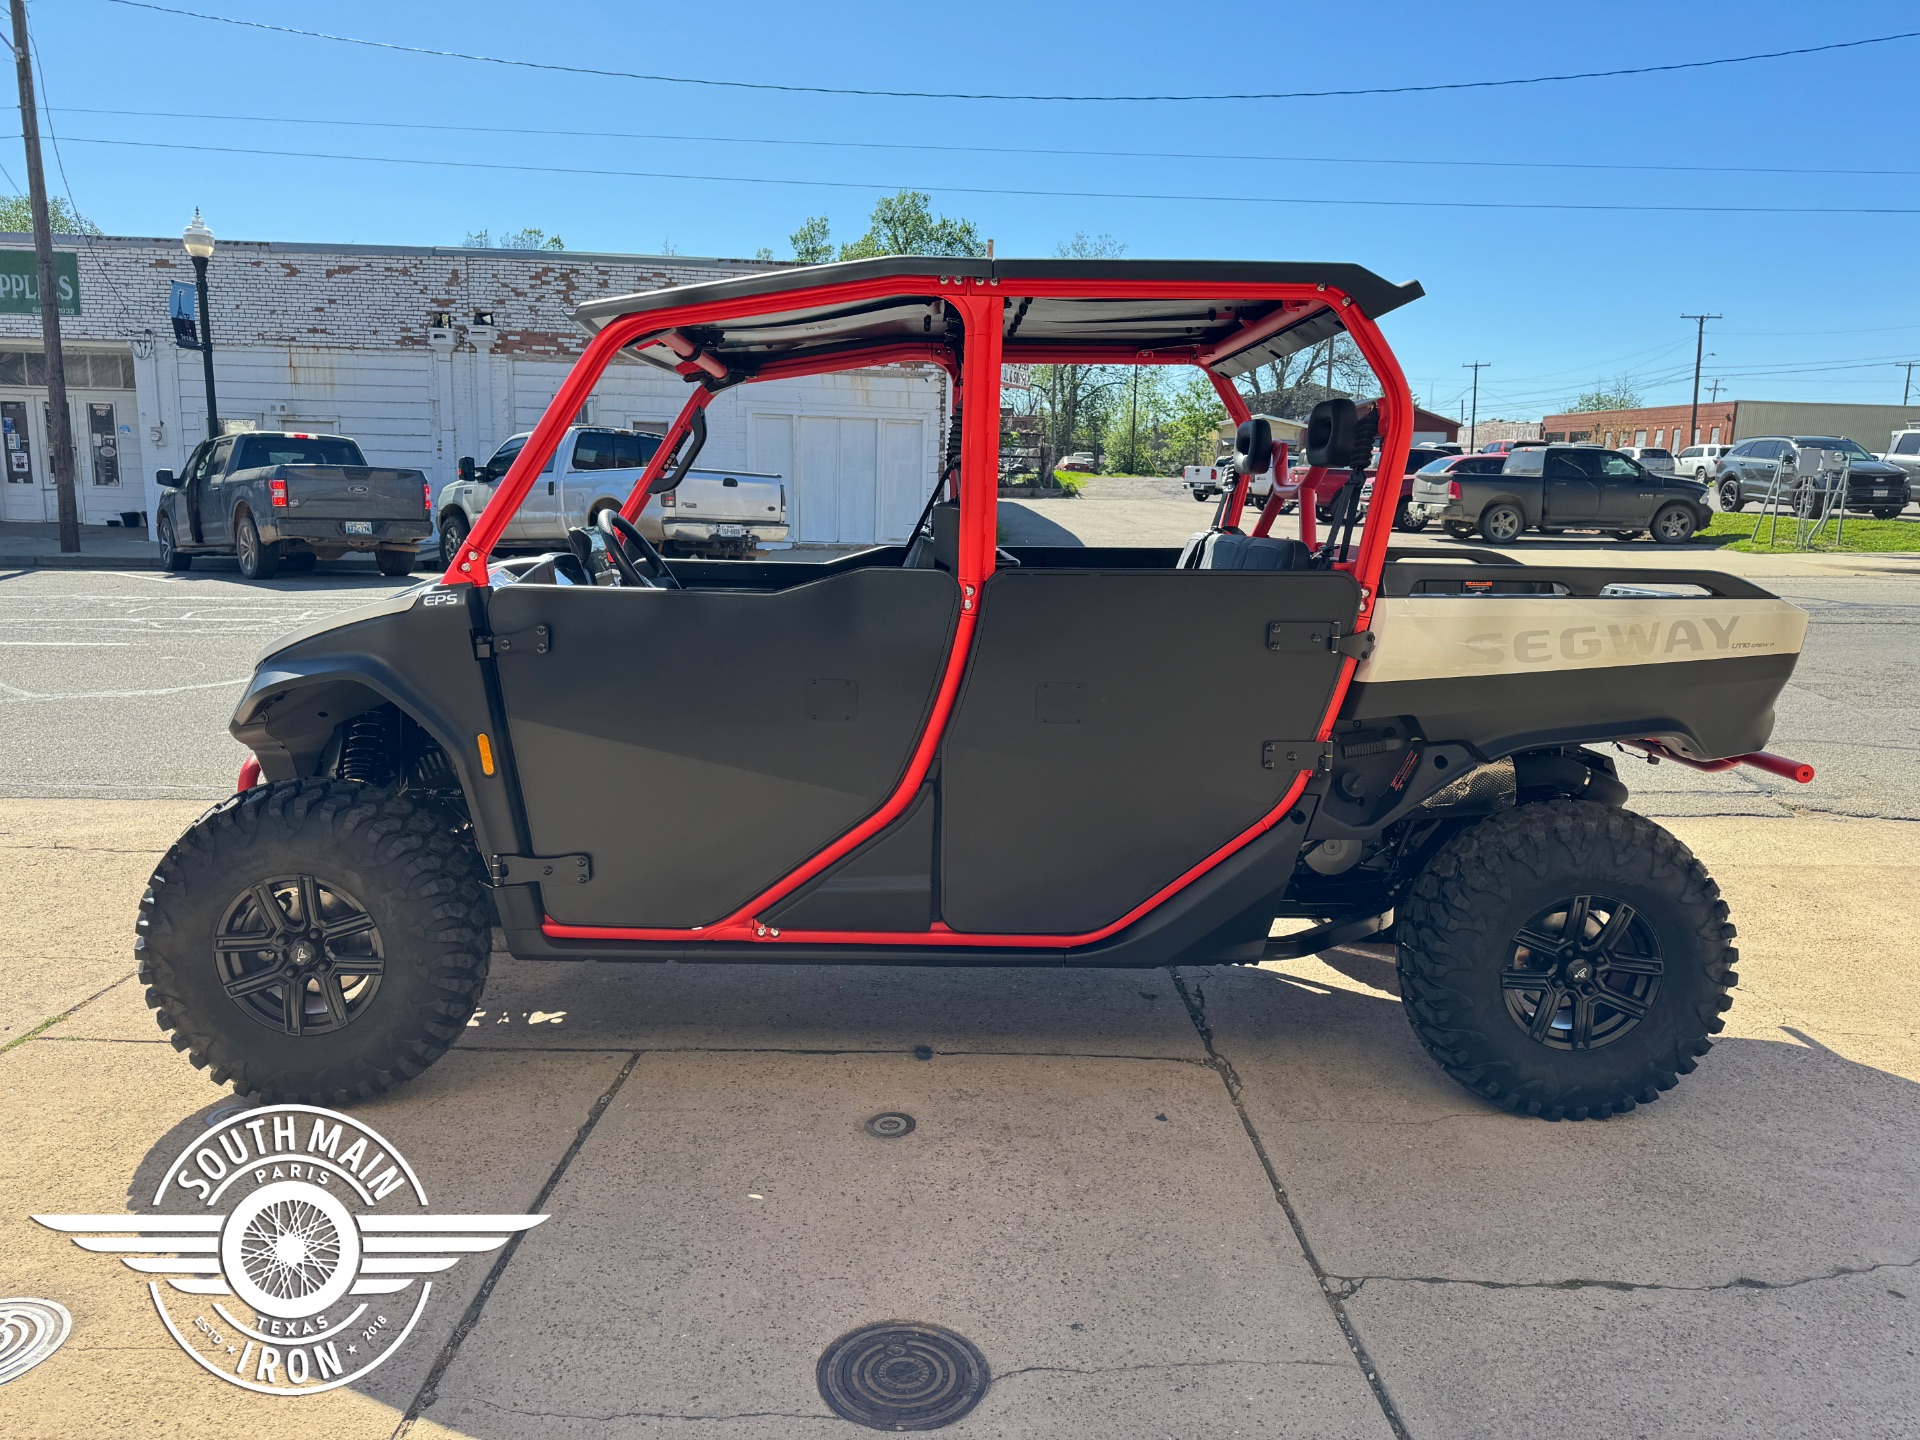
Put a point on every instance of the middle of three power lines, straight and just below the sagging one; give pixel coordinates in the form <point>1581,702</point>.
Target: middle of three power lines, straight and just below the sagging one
<point>994,151</point>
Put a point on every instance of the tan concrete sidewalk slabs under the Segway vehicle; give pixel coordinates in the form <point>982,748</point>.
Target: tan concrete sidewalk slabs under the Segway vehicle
<point>1201,1205</point>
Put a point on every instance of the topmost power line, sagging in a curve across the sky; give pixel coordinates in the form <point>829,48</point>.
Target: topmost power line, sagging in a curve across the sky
<point>1072,99</point>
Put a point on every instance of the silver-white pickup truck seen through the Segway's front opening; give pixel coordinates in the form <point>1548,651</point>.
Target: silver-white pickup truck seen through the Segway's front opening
<point>719,514</point>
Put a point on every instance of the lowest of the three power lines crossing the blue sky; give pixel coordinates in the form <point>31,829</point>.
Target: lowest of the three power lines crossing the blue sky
<point>1186,199</point>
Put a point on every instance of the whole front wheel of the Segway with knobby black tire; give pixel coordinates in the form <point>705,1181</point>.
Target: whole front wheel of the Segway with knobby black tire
<point>316,942</point>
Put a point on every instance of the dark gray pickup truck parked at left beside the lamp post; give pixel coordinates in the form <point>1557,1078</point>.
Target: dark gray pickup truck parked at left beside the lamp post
<point>289,500</point>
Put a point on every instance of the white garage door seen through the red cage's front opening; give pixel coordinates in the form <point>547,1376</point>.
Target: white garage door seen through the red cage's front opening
<point>850,481</point>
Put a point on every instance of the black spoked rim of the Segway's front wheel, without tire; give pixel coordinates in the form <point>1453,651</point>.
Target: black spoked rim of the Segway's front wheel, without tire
<point>299,955</point>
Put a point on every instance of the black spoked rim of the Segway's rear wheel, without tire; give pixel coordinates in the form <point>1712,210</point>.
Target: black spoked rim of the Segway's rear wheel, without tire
<point>1583,972</point>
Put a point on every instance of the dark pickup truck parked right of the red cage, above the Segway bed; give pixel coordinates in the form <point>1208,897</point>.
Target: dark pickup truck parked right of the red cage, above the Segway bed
<point>1558,489</point>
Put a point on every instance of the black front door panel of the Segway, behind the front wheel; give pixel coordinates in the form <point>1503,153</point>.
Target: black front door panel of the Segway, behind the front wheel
<point>700,746</point>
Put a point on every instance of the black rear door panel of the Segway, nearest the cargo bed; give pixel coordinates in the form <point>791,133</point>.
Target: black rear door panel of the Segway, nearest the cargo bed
<point>1116,731</point>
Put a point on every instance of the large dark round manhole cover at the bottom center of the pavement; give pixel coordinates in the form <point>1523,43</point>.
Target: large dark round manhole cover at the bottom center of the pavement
<point>903,1378</point>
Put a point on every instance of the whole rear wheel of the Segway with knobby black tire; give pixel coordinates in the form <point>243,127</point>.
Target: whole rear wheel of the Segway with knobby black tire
<point>1566,961</point>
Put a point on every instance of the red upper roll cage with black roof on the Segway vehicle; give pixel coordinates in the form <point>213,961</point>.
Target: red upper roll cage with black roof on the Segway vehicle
<point>982,295</point>
